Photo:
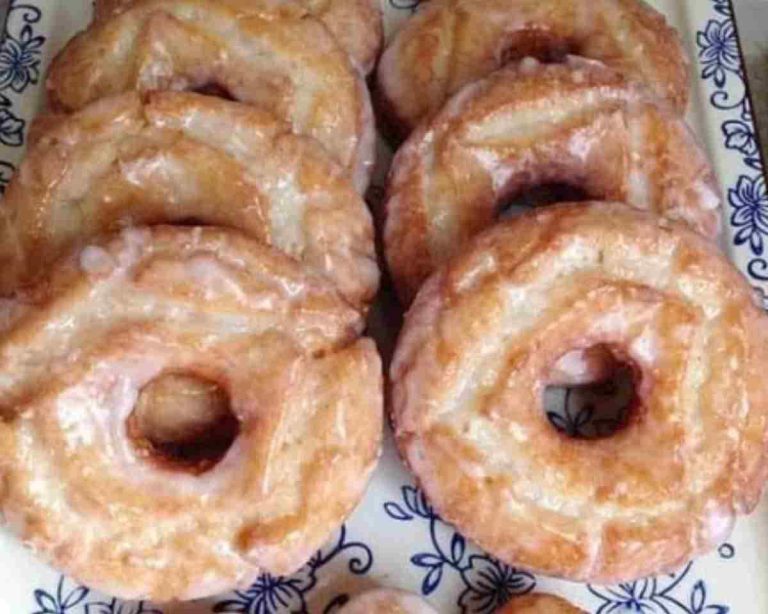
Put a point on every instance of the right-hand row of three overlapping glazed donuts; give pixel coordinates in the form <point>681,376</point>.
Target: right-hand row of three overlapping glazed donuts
<point>504,101</point>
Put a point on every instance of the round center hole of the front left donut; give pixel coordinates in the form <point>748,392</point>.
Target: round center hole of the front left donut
<point>183,422</point>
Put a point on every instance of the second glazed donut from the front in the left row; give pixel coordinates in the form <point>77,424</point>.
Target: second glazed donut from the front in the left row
<point>172,158</point>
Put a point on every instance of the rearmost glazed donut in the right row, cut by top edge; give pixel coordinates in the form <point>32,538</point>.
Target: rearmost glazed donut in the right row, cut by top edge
<point>451,43</point>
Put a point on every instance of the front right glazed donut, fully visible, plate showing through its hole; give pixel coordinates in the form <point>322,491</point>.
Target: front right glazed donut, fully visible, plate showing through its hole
<point>472,365</point>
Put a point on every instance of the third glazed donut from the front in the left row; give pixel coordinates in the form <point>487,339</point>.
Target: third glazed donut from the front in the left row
<point>289,65</point>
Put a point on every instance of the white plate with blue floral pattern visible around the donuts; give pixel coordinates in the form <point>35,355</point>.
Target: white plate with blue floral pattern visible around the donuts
<point>394,538</point>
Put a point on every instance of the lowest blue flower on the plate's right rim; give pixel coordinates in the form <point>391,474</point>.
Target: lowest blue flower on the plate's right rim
<point>749,200</point>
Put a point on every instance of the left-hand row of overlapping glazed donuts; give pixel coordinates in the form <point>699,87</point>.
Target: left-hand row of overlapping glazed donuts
<point>186,263</point>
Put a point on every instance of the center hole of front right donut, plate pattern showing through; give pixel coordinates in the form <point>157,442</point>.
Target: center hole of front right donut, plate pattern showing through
<point>591,393</point>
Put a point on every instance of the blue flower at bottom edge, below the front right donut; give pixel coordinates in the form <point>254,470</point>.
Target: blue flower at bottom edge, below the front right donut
<point>490,584</point>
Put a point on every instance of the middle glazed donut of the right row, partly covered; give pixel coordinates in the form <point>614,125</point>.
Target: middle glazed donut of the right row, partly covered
<point>528,125</point>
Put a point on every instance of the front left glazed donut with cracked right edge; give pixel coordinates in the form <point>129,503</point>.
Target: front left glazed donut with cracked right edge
<point>170,327</point>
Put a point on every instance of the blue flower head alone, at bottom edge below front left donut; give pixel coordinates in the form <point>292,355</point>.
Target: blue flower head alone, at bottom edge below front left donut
<point>271,594</point>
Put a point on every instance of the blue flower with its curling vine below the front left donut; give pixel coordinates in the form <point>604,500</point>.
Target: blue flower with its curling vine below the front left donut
<point>273,594</point>
